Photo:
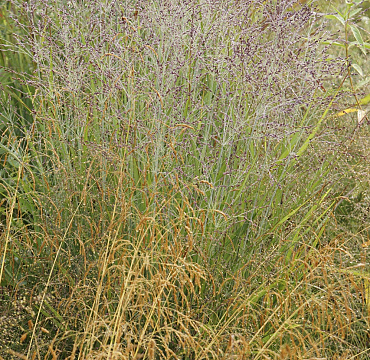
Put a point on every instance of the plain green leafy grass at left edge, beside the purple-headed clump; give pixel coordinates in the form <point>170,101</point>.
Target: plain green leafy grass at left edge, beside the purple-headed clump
<point>15,102</point>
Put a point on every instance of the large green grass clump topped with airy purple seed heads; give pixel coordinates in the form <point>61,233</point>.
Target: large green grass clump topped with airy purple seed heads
<point>215,95</point>
